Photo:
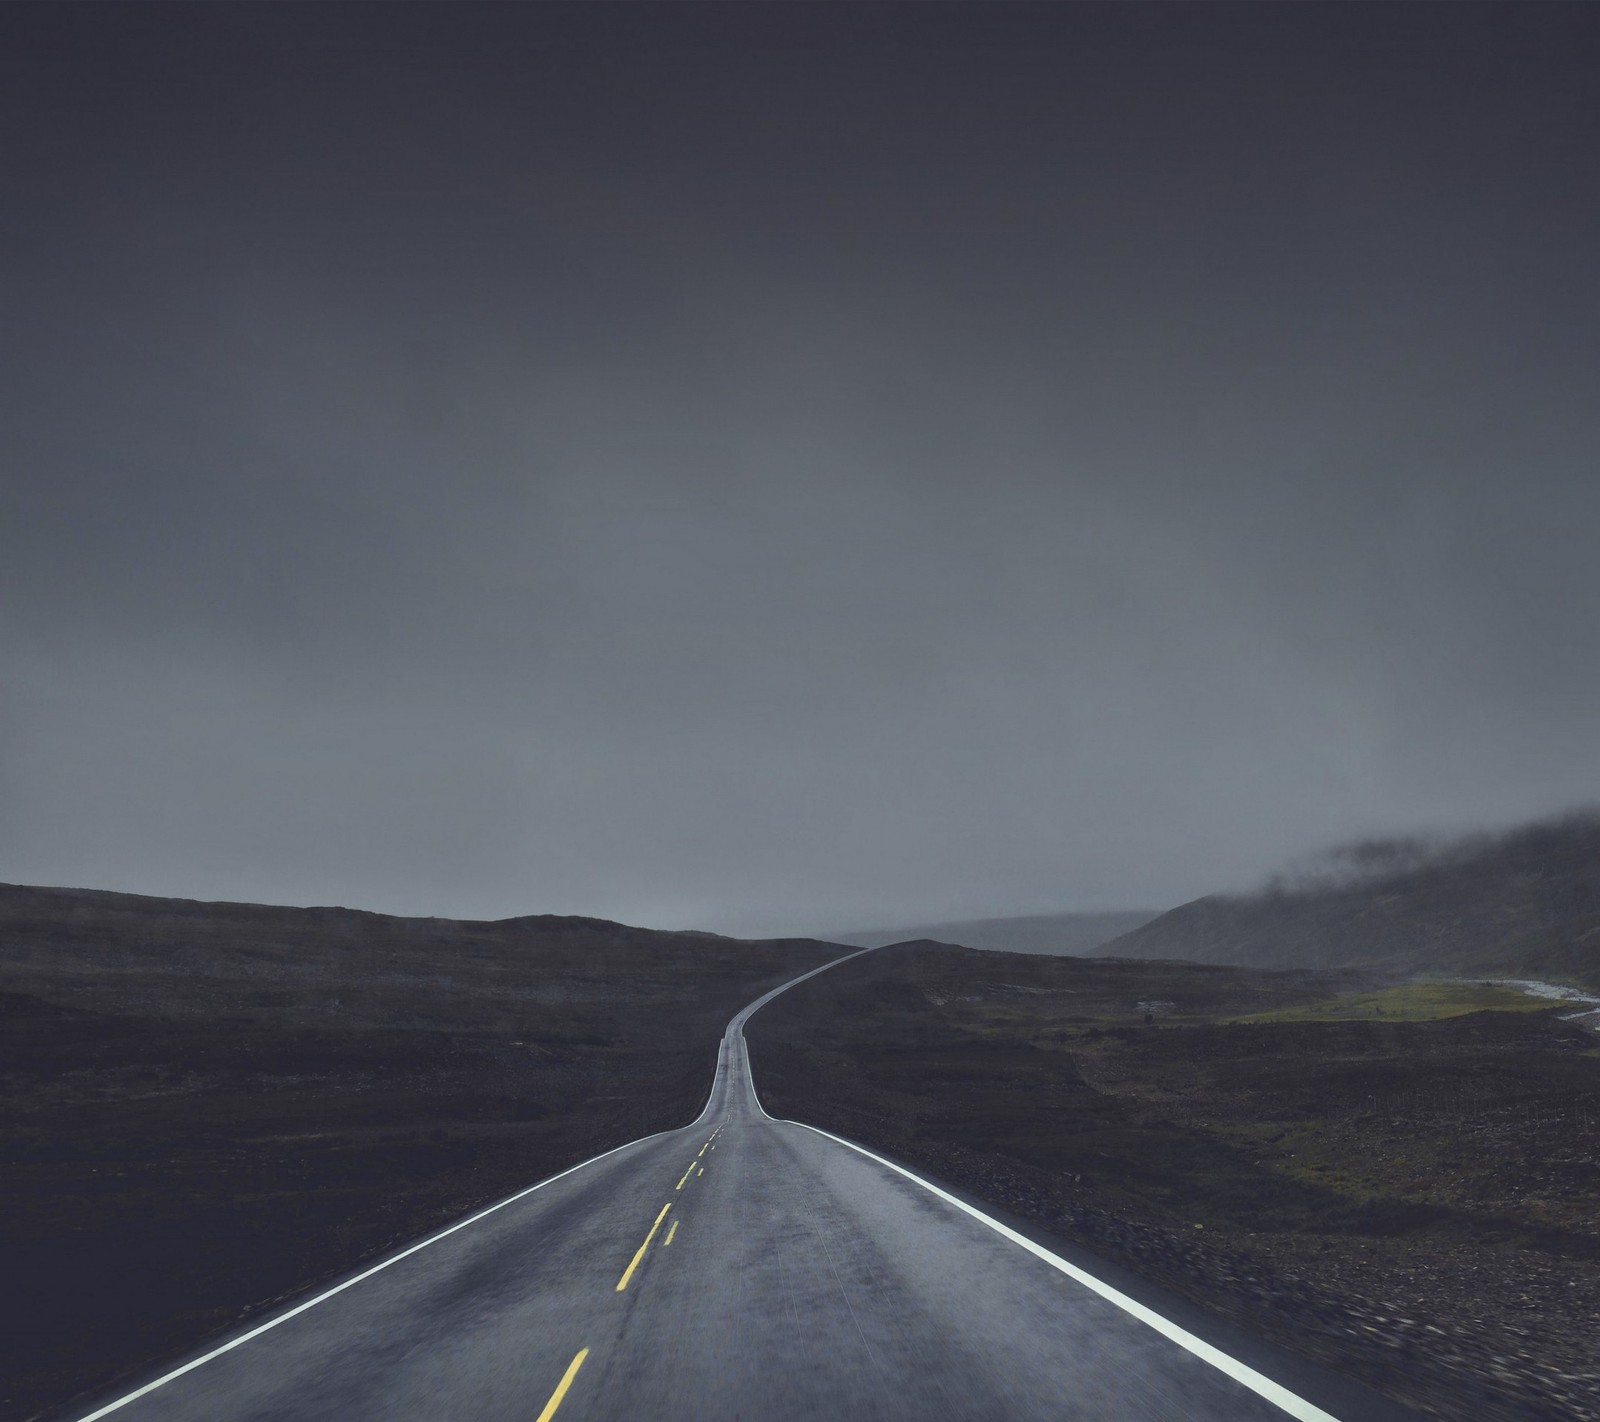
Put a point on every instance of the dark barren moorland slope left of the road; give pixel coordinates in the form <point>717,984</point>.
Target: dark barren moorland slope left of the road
<point>206,1108</point>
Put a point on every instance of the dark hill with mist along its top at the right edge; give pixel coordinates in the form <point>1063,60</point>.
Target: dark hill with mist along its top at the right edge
<point>1524,903</point>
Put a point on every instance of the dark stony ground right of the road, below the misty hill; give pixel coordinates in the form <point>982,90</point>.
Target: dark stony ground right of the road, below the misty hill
<point>1412,1202</point>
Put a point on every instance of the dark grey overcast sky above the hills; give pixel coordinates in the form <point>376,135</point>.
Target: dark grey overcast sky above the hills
<point>780,469</point>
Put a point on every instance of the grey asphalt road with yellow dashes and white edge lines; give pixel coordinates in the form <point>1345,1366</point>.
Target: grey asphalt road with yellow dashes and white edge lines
<point>738,1269</point>
